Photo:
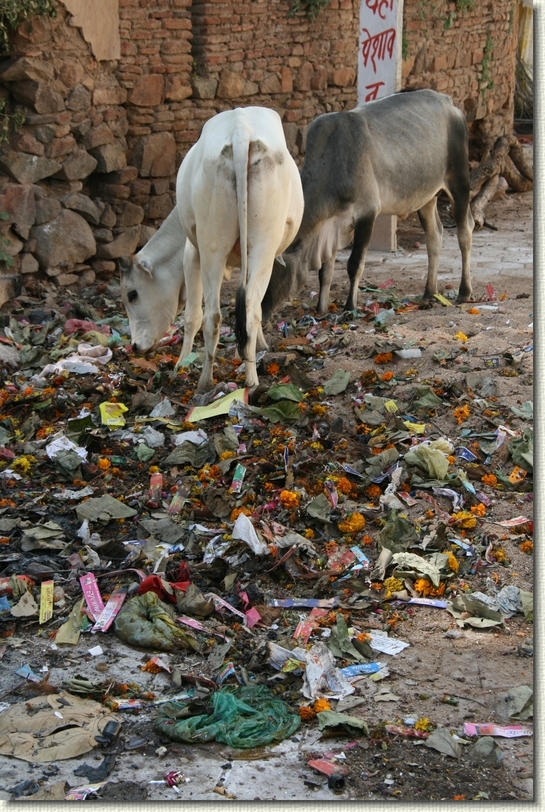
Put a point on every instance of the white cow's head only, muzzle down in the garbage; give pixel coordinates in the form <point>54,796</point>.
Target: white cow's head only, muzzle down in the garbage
<point>152,297</point>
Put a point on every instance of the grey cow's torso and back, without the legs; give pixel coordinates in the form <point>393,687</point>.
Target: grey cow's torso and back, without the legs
<point>351,150</point>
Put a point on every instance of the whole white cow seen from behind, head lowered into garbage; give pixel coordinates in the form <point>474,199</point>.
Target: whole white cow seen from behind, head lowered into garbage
<point>240,203</point>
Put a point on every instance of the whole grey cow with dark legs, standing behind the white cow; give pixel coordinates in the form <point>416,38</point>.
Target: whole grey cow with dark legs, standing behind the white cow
<point>390,156</point>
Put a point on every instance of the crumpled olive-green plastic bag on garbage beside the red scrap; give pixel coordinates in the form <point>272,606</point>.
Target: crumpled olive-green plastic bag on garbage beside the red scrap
<point>145,621</point>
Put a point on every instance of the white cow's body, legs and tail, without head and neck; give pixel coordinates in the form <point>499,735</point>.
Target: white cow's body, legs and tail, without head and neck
<point>240,201</point>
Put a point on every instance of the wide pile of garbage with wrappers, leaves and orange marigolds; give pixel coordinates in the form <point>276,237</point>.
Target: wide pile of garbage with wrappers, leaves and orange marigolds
<point>273,541</point>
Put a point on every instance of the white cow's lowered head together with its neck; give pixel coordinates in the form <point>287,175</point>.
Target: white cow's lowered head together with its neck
<point>152,284</point>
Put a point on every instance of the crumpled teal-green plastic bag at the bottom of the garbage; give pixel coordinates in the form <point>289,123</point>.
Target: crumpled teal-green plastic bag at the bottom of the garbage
<point>243,717</point>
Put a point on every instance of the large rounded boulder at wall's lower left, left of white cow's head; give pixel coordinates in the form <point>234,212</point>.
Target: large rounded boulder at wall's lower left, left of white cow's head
<point>66,240</point>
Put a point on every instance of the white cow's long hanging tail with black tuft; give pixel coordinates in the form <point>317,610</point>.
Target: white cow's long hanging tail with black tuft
<point>241,160</point>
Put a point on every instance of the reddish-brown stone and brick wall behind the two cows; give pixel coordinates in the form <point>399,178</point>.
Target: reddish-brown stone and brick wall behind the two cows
<point>91,173</point>
